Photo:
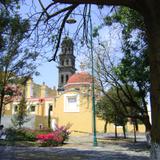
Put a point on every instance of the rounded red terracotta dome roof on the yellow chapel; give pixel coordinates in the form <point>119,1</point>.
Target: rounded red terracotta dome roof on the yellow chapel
<point>80,77</point>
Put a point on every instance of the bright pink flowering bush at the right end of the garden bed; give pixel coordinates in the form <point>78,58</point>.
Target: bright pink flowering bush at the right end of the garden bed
<point>54,138</point>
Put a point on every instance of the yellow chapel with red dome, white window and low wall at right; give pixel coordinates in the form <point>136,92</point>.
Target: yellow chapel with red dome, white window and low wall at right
<point>74,106</point>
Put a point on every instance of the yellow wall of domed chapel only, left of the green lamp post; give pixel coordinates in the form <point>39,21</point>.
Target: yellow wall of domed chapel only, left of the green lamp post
<point>81,121</point>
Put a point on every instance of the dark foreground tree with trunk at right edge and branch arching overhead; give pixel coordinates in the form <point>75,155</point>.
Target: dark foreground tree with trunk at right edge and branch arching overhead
<point>150,12</point>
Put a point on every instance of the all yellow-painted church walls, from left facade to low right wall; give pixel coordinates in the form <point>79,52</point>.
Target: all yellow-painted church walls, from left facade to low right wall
<point>81,122</point>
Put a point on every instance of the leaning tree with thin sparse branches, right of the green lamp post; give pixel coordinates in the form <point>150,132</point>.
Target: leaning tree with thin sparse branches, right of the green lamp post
<point>122,77</point>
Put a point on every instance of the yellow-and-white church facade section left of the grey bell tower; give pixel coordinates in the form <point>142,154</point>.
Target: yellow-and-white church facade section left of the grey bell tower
<point>39,98</point>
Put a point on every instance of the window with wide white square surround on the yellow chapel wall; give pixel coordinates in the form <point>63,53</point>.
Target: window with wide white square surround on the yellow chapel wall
<point>71,103</point>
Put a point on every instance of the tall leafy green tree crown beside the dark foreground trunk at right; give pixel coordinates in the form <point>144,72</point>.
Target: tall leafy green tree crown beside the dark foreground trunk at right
<point>134,66</point>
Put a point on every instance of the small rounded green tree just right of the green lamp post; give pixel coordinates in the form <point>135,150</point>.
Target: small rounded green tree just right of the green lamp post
<point>108,108</point>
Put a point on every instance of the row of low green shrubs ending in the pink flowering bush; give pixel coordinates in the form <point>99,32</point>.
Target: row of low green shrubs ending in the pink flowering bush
<point>46,137</point>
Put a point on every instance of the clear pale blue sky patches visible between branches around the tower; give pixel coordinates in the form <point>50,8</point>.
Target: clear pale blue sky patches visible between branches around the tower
<point>48,70</point>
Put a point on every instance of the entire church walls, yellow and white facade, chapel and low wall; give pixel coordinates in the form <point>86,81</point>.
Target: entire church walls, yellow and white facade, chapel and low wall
<point>80,120</point>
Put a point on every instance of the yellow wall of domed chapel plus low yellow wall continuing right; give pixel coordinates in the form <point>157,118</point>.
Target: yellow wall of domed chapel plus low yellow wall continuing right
<point>81,122</point>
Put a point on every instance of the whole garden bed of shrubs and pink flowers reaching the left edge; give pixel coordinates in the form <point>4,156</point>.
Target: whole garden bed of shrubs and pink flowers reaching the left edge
<point>41,137</point>
